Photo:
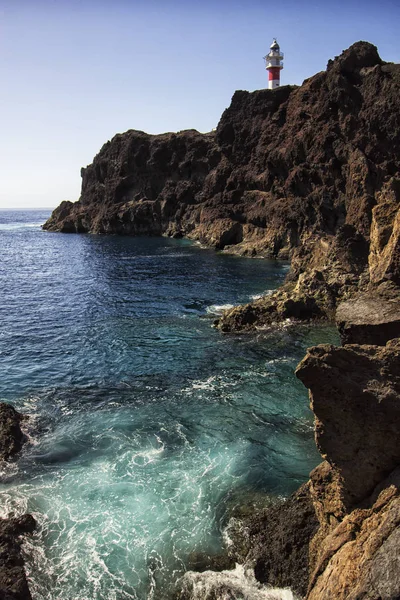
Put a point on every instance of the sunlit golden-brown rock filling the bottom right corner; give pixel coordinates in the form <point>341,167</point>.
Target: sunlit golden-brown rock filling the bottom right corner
<point>360,559</point>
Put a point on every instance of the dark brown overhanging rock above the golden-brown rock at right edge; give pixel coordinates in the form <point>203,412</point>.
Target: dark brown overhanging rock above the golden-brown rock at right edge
<point>355,396</point>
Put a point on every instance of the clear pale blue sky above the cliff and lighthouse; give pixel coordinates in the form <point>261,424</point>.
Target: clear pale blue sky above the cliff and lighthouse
<point>74,73</point>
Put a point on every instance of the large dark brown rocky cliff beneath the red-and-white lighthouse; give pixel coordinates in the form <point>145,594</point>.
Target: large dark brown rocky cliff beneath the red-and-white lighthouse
<point>309,173</point>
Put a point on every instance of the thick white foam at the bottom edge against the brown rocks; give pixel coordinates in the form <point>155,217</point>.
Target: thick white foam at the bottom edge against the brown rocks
<point>226,585</point>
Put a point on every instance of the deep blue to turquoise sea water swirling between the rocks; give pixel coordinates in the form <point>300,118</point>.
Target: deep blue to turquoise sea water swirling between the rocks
<point>146,423</point>
